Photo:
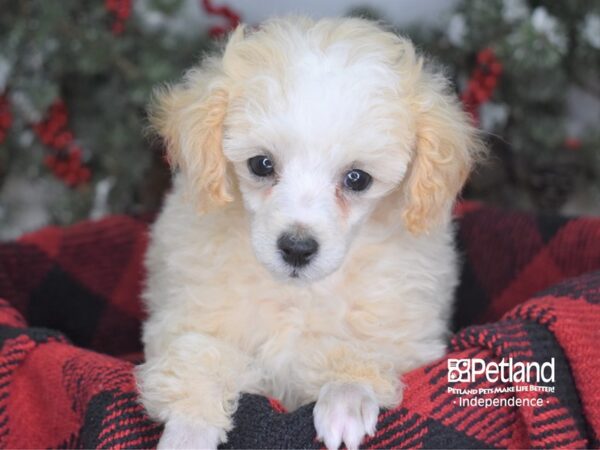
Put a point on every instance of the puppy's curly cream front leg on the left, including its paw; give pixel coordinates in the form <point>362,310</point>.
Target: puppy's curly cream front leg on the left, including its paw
<point>193,387</point>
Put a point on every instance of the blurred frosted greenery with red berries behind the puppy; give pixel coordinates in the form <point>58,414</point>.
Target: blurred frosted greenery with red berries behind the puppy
<point>75,77</point>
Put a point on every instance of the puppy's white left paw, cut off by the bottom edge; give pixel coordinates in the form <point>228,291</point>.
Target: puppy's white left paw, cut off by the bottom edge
<point>185,434</point>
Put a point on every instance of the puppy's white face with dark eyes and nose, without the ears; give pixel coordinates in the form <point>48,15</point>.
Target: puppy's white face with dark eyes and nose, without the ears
<point>313,151</point>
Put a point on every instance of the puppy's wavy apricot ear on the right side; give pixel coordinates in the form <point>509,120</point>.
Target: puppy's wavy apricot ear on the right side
<point>447,145</point>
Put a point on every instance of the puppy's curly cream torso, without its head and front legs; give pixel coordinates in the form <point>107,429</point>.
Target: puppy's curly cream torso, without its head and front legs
<point>383,312</point>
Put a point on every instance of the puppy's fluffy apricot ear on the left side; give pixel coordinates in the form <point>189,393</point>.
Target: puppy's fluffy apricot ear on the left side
<point>189,117</point>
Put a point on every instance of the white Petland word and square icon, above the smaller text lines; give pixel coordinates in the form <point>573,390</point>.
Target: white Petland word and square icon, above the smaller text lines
<point>506,371</point>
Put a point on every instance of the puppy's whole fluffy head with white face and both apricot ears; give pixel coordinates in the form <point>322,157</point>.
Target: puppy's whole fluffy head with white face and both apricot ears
<point>313,124</point>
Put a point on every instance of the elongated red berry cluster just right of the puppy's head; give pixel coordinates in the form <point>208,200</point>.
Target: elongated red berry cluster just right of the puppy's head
<point>482,83</point>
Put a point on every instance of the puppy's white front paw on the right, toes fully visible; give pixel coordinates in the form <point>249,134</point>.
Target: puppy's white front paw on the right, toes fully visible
<point>345,412</point>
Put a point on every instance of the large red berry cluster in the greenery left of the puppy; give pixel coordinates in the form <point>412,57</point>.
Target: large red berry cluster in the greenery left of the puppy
<point>65,159</point>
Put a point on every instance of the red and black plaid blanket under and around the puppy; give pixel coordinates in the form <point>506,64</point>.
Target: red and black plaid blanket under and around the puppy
<point>70,322</point>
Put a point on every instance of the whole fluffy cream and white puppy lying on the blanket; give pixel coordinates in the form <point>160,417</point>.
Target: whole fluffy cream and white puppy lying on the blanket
<point>305,251</point>
